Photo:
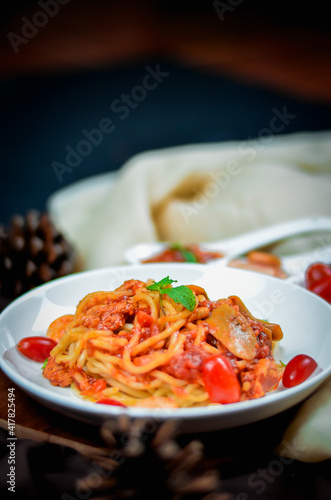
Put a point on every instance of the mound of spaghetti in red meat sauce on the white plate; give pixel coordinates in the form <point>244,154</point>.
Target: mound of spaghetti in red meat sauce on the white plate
<point>132,347</point>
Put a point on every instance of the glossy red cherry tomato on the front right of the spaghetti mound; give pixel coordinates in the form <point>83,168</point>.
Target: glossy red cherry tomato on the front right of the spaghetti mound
<point>220,380</point>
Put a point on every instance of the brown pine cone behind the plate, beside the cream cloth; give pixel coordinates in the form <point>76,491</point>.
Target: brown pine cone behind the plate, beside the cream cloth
<point>32,252</point>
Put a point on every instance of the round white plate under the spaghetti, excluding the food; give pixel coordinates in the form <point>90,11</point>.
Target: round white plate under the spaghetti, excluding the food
<point>304,318</point>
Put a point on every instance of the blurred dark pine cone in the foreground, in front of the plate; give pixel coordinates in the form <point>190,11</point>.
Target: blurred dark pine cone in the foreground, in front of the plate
<point>143,454</point>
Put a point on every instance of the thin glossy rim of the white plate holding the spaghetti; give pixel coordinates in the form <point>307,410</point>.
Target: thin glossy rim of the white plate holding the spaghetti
<point>78,405</point>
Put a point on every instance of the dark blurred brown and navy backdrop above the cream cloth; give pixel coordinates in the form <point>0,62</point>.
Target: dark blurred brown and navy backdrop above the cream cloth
<point>227,72</point>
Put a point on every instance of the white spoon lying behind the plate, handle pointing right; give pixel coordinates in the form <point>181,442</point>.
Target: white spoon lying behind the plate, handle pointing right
<point>239,245</point>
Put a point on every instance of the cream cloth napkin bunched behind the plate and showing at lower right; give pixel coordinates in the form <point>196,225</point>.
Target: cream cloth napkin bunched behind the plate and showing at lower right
<point>202,193</point>
